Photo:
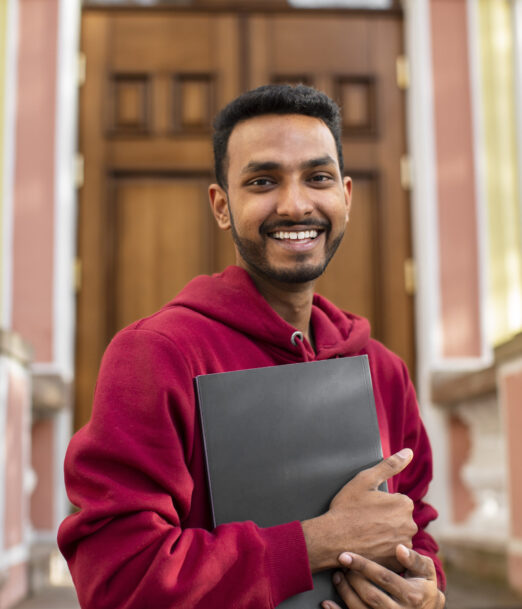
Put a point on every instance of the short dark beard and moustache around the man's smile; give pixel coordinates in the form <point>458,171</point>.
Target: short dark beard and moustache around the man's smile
<point>254,254</point>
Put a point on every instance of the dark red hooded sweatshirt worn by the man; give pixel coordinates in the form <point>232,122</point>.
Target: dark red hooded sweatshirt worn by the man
<point>142,537</point>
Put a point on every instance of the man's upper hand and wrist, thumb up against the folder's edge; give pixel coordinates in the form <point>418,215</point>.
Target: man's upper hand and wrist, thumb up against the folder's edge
<point>363,519</point>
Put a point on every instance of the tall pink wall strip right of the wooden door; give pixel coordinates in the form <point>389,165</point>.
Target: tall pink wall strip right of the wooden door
<point>461,330</point>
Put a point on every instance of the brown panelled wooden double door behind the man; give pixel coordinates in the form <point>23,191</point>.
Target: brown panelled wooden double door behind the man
<point>154,81</point>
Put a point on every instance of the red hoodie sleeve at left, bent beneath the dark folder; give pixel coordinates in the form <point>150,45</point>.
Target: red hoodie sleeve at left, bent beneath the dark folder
<point>128,473</point>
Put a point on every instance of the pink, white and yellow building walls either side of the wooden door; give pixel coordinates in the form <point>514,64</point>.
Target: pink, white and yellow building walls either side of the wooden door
<point>462,79</point>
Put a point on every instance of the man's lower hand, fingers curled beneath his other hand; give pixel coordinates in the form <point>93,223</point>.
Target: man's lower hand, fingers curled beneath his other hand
<point>366,584</point>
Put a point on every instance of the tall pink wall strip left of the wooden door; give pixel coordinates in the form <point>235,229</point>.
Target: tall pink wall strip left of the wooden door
<point>34,188</point>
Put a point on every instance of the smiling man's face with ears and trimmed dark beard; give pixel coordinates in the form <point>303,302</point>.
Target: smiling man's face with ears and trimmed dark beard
<point>287,203</point>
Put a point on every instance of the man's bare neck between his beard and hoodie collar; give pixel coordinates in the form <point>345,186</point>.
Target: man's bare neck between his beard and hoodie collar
<point>291,301</point>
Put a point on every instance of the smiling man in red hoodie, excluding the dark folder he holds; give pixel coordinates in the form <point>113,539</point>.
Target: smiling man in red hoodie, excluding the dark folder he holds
<point>142,536</point>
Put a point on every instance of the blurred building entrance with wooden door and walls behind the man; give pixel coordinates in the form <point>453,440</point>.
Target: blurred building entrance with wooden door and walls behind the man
<point>105,158</point>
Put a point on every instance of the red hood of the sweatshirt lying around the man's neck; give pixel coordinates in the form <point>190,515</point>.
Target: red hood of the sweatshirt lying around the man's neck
<point>232,298</point>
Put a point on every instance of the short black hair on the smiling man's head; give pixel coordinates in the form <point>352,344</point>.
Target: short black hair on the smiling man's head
<point>273,99</point>
